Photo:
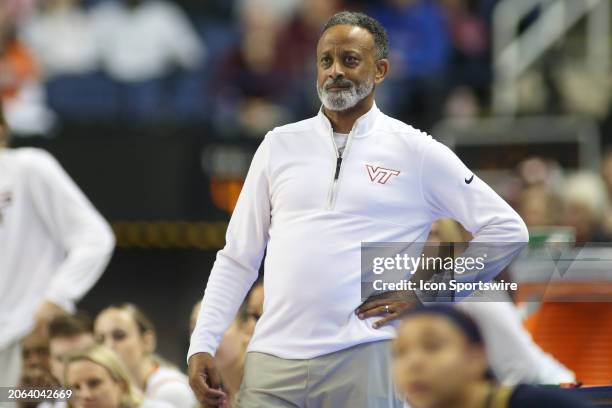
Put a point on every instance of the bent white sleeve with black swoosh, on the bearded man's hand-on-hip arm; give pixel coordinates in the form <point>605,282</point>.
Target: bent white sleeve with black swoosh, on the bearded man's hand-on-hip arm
<point>451,190</point>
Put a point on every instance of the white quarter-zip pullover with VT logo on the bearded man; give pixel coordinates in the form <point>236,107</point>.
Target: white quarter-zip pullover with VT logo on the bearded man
<point>311,209</point>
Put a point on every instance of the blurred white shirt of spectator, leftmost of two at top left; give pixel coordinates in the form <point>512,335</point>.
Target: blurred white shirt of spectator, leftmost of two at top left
<point>62,39</point>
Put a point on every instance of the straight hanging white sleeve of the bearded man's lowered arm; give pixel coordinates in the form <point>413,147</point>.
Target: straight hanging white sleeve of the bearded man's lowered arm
<point>237,264</point>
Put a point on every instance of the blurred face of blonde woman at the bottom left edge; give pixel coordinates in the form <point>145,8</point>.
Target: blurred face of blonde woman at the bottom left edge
<point>93,386</point>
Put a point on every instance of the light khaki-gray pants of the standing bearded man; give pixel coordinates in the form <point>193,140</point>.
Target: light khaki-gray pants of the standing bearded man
<point>356,377</point>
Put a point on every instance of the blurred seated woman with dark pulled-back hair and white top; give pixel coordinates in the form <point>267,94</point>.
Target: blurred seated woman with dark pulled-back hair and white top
<point>131,334</point>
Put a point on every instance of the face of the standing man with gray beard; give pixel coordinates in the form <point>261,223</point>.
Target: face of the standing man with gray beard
<point>347,68</point>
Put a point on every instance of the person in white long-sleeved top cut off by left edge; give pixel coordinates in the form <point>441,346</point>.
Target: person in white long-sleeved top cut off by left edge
<point>54,246</point>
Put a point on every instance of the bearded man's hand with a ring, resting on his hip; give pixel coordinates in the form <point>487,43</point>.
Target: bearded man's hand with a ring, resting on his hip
<point>391,305</point>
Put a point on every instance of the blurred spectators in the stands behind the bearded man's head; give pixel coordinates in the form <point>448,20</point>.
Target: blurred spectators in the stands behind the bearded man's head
<point>245,65</point>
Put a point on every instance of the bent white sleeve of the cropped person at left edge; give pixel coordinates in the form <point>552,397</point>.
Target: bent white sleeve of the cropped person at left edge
<point>74,224</point>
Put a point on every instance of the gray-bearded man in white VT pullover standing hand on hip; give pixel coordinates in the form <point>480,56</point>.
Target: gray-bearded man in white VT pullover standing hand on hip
<point>316,189</point>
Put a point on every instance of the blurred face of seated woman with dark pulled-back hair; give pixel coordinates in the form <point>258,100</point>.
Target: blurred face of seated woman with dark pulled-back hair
<point>117,330</point>
